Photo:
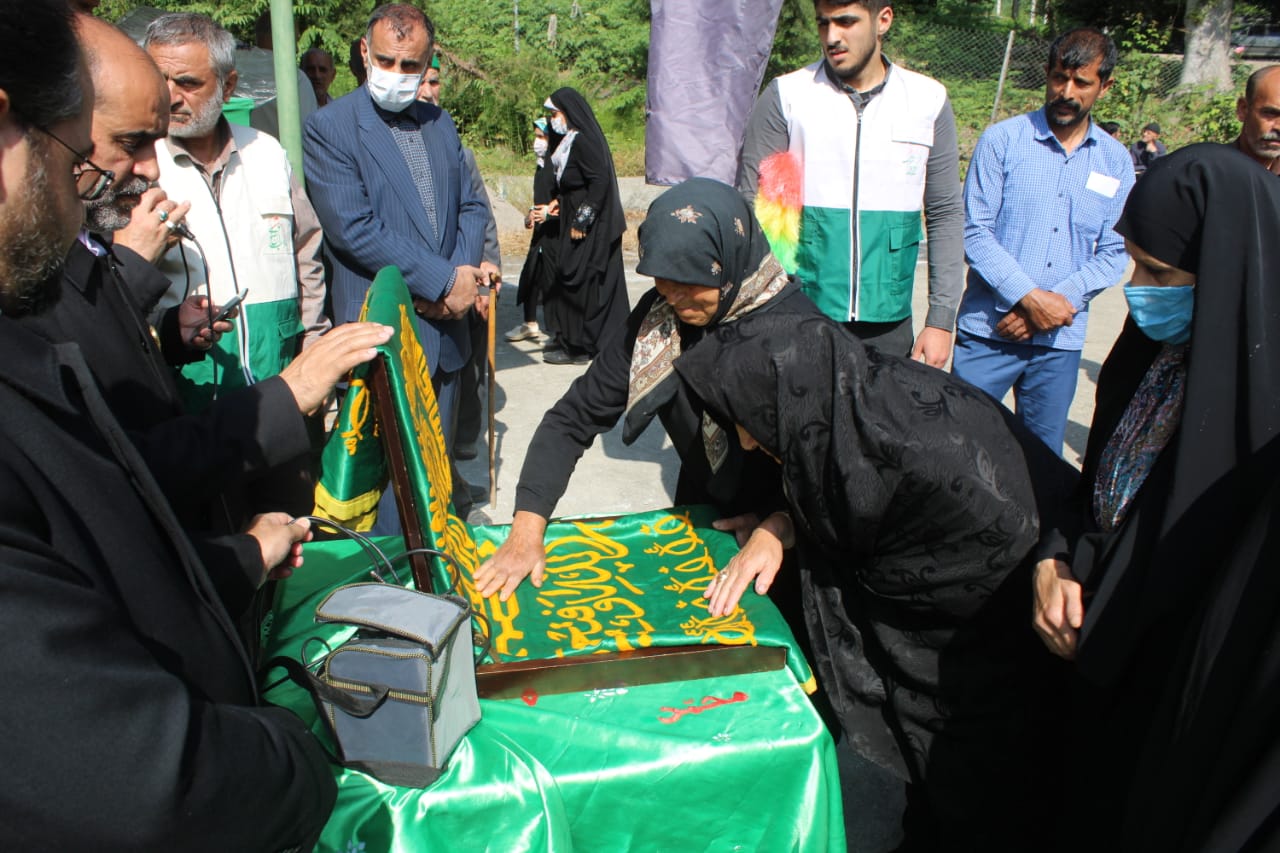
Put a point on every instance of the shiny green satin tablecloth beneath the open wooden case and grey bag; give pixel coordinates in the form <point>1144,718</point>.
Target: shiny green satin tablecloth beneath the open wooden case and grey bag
<point>732,764</point>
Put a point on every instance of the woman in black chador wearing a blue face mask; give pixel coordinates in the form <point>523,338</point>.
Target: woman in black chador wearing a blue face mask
<point>1167,587</point>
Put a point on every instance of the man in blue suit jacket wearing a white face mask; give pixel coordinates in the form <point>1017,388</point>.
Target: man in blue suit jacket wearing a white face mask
<point>387,179</point>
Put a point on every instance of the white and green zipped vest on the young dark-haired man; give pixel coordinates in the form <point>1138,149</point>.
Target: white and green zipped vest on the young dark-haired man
<point>883,162</point>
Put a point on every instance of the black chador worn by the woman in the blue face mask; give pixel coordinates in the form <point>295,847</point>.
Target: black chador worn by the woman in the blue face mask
<point>1187,599</point>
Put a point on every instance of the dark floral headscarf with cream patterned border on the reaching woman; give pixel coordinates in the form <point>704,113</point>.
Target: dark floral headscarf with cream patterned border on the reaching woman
<point>700,232</point>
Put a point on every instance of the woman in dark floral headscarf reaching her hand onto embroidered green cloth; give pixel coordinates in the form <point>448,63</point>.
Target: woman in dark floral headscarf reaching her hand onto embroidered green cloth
<point>711,267</point>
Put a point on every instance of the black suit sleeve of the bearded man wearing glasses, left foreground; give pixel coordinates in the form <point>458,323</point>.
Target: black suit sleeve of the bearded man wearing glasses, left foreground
<point>95,718</point>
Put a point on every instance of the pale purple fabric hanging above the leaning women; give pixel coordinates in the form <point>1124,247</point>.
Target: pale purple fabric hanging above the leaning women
<point>706,65</point>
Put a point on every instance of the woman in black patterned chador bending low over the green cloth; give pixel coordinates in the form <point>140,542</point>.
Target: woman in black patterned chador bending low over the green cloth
<point>915,514</point>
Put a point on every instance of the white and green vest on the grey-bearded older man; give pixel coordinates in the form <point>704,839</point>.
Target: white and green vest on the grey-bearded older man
<point>246,243</point>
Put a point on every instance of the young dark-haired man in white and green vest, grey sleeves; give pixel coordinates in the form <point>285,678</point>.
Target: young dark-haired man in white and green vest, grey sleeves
<point>875,144</point>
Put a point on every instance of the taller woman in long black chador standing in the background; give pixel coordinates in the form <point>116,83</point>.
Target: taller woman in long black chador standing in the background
<point>589,299</point>
